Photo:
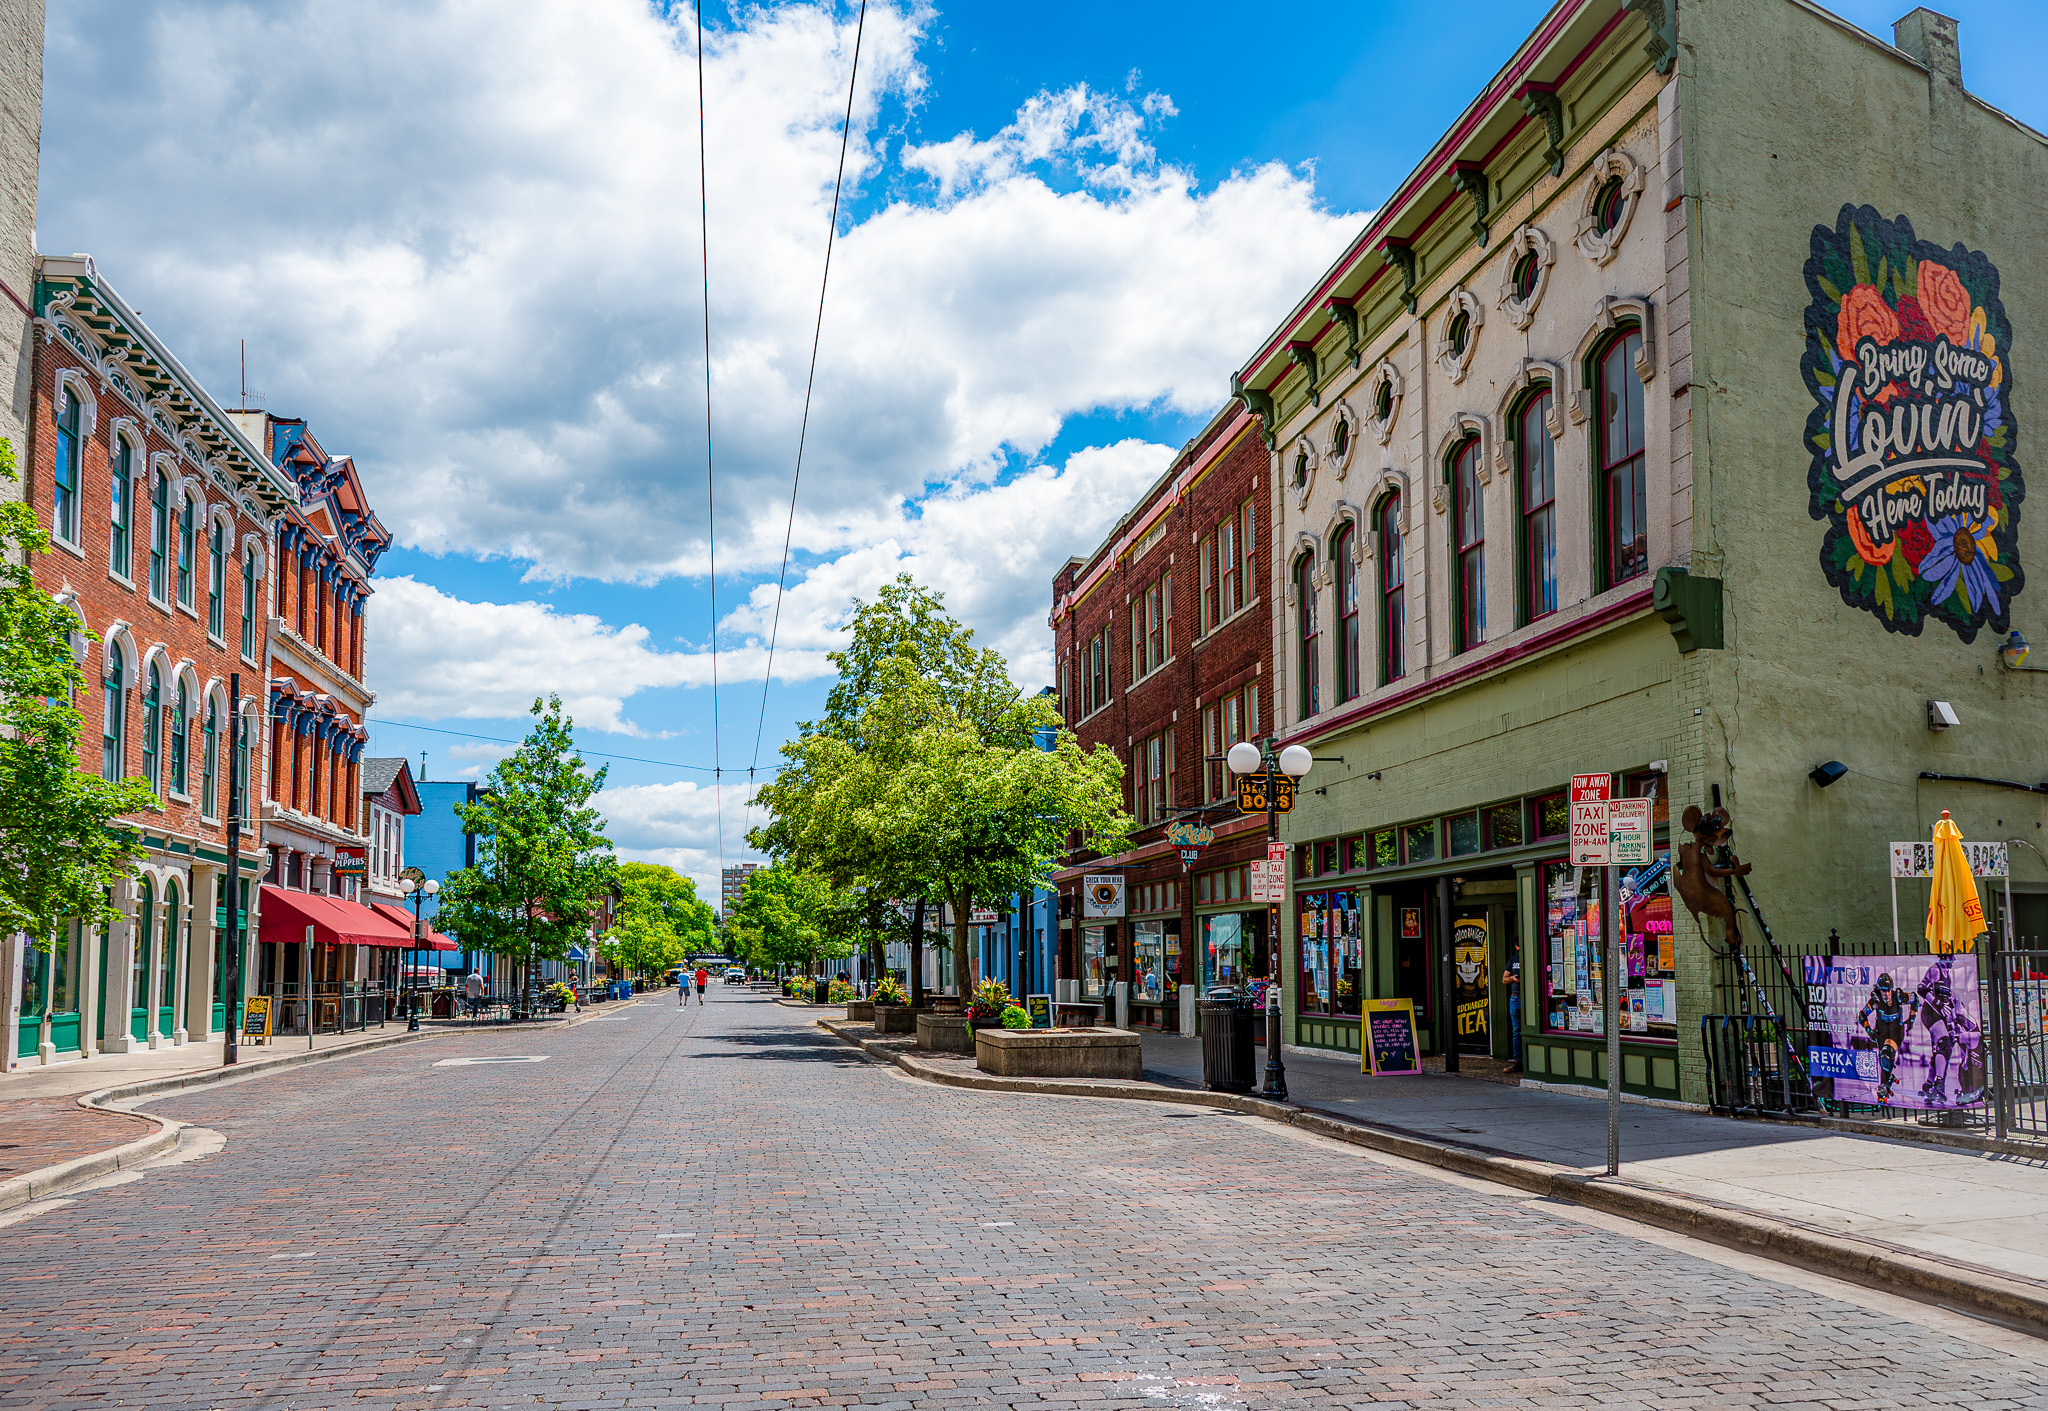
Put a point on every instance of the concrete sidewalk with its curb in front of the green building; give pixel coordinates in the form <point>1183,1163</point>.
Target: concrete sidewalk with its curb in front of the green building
<point>1940,1224</point>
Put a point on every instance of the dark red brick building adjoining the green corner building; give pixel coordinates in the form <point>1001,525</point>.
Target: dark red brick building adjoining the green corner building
<point>1162,654</point>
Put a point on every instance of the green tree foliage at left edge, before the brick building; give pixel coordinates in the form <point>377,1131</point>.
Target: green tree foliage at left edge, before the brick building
<point>62,841</point>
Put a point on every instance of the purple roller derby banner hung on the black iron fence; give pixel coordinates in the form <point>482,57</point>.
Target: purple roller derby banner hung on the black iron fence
<point>1897,1031</point>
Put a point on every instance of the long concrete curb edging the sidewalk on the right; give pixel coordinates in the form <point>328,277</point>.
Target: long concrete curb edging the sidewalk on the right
<point>1961,1287</point>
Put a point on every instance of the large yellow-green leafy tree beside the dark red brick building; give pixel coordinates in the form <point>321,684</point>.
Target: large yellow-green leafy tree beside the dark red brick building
<point>929,777</point>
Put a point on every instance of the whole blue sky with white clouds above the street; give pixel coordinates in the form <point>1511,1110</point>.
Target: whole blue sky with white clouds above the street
<point>464,245</point>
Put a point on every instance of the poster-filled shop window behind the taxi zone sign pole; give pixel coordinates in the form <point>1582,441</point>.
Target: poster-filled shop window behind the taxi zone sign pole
<point>1574,974</point>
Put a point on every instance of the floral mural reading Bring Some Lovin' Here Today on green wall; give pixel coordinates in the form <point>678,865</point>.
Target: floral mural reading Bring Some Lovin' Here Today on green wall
<point>1908,361</point>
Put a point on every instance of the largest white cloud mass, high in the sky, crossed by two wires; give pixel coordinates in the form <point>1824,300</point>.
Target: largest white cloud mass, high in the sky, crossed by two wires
<point>464,241</point>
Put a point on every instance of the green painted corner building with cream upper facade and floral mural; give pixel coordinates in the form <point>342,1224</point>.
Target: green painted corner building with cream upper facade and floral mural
<point>1664,425</point>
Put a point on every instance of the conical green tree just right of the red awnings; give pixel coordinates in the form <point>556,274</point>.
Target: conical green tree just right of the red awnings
<point>544,861</point>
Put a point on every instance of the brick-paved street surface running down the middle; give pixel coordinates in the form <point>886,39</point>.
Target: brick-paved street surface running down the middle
<point>691,1209</point>
